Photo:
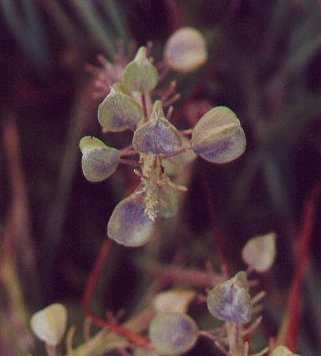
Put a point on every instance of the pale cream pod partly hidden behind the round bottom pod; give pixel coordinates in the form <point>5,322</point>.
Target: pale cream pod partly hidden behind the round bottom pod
<point>175,301</point>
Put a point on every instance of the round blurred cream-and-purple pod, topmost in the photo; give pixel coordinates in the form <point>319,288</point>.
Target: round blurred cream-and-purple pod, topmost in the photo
<point>185,50</point>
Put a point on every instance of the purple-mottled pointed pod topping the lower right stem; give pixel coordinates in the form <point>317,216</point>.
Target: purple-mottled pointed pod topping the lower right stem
<point>230,300</point>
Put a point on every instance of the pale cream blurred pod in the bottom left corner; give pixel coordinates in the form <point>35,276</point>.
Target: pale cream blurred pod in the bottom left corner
<point>49,324</point>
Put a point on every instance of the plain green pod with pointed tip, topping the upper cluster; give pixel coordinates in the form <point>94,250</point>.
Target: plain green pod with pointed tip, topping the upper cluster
<point>140,75</point>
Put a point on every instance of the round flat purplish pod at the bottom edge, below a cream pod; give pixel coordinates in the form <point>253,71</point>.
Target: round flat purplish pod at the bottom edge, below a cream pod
<point>173,333</point>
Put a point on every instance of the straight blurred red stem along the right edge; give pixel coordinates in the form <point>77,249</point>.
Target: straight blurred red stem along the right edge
<point>302,249</point>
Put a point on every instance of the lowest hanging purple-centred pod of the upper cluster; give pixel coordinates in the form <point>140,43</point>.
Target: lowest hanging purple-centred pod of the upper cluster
<point>129,225</point>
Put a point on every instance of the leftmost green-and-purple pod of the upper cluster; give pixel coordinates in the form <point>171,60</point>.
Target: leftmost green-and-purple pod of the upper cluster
<point>98,160</point>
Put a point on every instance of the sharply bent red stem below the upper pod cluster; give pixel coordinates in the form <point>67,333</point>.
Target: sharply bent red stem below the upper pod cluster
<point>91,284</point>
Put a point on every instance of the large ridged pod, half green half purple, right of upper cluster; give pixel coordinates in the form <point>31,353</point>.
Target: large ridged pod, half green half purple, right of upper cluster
<point>218,136</point>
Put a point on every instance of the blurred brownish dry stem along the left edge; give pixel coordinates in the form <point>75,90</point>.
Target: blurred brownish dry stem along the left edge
<point>17,249</point>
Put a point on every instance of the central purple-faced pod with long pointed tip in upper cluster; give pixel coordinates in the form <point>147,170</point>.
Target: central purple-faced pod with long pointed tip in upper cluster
<point>157,135</point>
